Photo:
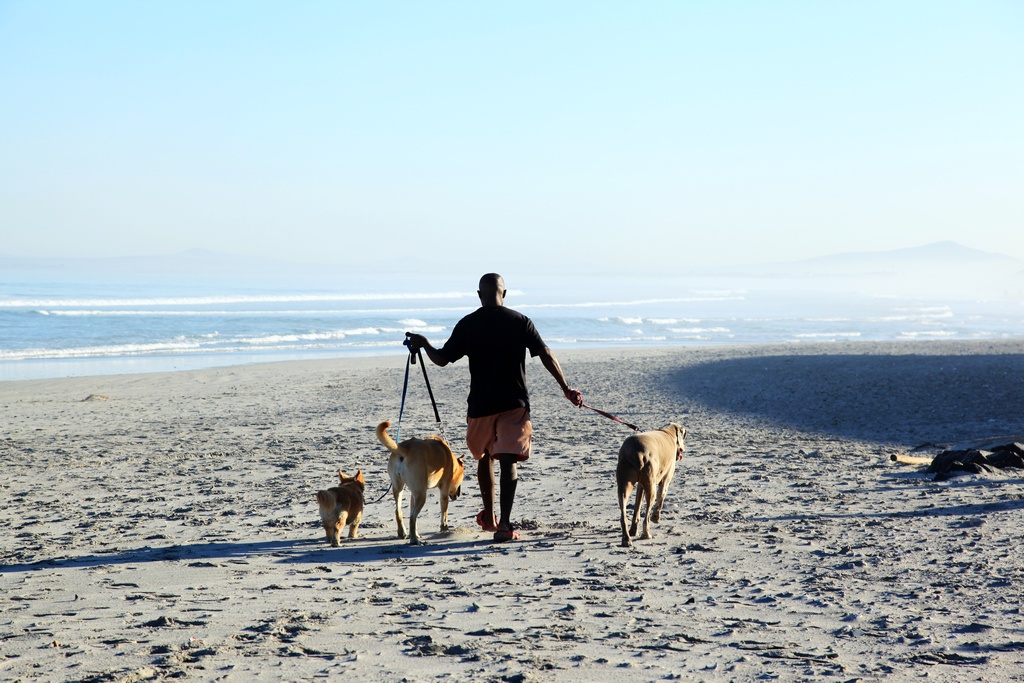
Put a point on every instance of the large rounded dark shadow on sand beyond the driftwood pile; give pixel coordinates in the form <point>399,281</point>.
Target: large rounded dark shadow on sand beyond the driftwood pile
<point>875,398</point>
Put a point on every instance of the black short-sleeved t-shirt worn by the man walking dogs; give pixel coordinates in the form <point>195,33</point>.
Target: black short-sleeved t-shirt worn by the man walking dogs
<point>496,339</point>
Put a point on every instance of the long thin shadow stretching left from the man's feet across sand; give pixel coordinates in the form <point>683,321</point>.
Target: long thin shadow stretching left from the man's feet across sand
<point>298,551</point>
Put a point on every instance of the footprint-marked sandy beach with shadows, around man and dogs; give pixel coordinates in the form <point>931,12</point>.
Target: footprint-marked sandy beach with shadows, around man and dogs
<point>164,527</point>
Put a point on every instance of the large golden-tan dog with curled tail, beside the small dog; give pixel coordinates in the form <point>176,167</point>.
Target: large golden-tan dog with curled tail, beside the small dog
<point>421,464</point>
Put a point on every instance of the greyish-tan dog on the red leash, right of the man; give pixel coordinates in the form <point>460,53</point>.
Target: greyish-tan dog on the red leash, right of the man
<point>648,461</point>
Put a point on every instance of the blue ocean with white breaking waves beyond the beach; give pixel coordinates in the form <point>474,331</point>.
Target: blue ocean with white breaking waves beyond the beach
<point>66,328</point>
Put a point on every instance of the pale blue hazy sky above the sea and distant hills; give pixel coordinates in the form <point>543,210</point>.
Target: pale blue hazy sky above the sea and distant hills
<point>576,136</point>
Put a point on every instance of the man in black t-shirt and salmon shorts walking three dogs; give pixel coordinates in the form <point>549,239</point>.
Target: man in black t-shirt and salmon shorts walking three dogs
<point>498,428</point>
